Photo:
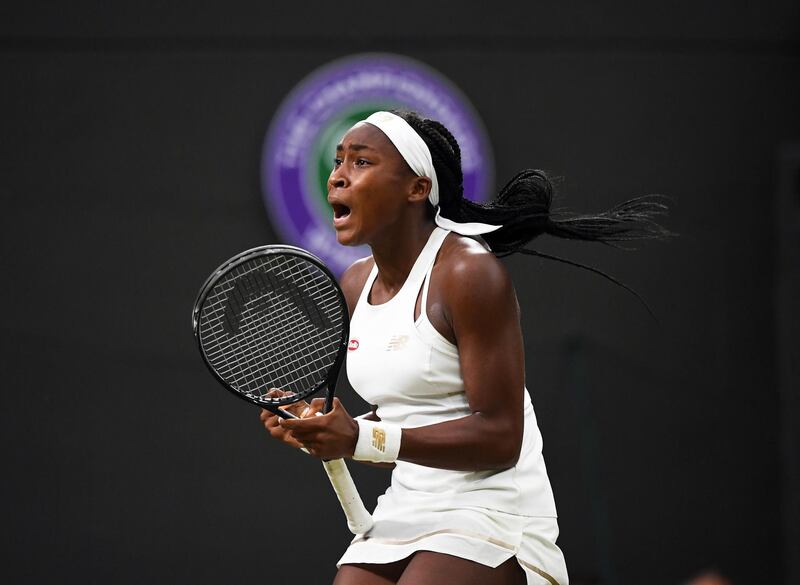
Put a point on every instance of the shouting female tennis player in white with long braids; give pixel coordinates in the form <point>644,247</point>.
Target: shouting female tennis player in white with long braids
<point>436,348</point>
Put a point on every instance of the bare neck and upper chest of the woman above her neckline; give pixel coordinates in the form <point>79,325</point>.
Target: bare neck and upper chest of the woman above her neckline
<point>395,254</point>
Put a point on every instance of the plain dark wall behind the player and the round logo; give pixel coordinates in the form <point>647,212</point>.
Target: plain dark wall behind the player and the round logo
<point>129,168</point>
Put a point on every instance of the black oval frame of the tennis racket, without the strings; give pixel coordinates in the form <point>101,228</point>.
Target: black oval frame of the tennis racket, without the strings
<point>329,383</point>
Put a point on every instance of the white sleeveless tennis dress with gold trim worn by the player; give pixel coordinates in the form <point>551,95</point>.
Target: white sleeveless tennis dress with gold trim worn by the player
<point>412,373</point>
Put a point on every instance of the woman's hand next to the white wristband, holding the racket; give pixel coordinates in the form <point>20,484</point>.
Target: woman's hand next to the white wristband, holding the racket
<point>328,436</point>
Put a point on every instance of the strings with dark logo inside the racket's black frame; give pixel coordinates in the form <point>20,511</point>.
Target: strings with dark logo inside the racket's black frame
<point>273,321</point>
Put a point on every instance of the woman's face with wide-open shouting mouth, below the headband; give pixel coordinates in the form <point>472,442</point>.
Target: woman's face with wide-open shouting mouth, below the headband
<point>369,186</point>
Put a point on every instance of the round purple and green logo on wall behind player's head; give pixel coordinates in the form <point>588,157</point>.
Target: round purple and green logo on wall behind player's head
<point>301,141</point>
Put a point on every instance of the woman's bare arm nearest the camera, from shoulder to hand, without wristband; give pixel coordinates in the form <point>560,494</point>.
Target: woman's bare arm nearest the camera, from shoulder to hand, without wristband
<point>472,302</point>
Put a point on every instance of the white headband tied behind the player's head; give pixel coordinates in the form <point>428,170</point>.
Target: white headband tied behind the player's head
<point>416,153</point>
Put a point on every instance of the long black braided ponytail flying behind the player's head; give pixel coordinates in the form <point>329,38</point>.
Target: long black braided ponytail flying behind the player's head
<point>523,206</point>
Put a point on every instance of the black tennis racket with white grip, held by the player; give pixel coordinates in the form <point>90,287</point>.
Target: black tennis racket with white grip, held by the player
<point>275,317</point>
